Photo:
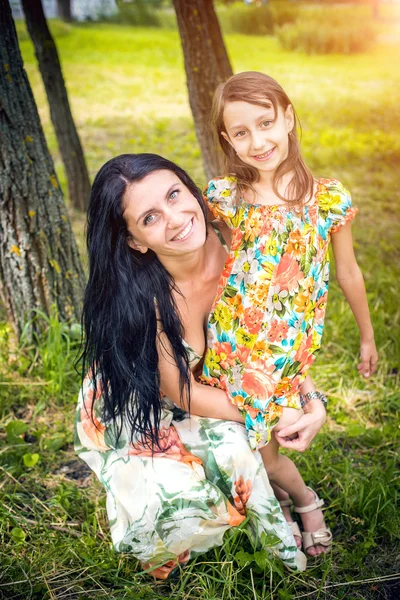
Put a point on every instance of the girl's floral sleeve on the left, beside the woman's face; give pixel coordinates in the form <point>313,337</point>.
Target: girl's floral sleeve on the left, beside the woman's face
<point>220,196</point>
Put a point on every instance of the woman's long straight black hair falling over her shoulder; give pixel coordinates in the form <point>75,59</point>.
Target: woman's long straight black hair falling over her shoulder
<point>119,314</point>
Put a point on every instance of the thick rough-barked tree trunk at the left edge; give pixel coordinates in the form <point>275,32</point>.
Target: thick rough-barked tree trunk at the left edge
<point>39,261</point>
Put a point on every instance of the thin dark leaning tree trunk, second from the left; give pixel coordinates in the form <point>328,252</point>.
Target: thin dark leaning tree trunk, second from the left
<point>67,136</point>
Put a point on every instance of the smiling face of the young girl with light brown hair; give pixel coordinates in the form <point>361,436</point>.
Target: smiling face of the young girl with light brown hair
<point>258,135</point>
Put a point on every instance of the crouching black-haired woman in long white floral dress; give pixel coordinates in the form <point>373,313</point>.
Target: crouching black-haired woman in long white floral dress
<point>174,483</point>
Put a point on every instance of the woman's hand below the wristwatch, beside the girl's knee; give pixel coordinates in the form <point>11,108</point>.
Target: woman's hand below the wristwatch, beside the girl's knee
<point>306,427</point>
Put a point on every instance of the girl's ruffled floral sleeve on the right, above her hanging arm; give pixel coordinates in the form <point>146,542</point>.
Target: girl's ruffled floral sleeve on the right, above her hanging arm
<point>335,204</point>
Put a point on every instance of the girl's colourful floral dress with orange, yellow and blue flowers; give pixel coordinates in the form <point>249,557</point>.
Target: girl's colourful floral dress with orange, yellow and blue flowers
<point>266,323</point>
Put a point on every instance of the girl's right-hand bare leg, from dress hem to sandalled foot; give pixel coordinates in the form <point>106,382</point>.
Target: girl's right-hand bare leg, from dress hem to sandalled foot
<point>283,473</point>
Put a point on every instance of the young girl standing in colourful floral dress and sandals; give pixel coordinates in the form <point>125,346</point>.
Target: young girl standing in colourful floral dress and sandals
<point>266,324</point>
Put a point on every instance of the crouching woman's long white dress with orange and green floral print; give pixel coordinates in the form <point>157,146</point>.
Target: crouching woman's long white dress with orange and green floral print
<point>173,505</point>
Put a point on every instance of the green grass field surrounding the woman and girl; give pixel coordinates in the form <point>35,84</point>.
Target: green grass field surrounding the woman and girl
<point>128,94</point>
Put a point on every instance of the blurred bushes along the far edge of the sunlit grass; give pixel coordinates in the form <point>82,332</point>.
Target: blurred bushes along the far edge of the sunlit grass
<point>312,27</point>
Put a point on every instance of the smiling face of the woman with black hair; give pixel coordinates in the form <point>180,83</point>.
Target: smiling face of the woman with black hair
<point>162,215</point>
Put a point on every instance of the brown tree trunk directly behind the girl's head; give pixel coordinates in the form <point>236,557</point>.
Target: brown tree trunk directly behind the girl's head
<point>206,64</point>
